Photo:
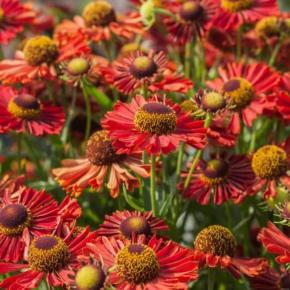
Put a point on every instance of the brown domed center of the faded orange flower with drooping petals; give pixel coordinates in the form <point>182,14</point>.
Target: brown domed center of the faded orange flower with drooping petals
<point>100,150</point>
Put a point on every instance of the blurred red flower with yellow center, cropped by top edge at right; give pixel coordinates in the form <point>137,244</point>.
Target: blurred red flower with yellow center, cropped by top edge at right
<point>233,13</point>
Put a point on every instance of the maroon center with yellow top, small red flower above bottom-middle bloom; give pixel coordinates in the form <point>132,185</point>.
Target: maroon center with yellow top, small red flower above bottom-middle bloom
<point>134,224</point>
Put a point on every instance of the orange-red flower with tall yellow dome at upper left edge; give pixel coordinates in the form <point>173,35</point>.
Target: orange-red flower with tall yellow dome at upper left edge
<point>39,59</point>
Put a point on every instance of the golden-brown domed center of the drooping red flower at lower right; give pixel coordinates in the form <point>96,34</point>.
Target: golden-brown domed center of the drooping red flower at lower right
<point>216,240</point>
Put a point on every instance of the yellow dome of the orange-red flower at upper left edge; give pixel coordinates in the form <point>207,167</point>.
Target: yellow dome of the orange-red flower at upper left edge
<point>40,49</point>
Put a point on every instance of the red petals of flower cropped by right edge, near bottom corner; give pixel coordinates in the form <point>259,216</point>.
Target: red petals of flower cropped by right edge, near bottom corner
<point>276,243</point>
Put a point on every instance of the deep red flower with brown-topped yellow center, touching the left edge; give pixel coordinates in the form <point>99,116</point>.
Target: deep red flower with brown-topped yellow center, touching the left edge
<point>23,112</point>
